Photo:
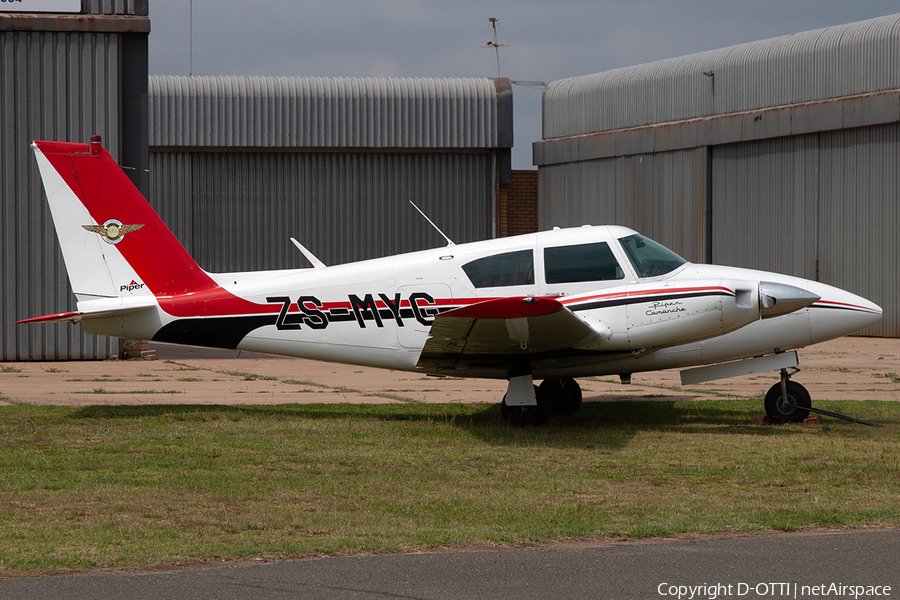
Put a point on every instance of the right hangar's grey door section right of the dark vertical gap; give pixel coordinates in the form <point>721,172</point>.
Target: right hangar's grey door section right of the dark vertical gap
<point>821,206</point>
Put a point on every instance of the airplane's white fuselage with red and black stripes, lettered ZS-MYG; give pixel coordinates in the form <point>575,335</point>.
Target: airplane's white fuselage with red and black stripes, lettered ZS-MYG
<point>379,312</point>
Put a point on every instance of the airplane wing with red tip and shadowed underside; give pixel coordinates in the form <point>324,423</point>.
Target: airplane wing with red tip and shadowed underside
<point>502,330</point>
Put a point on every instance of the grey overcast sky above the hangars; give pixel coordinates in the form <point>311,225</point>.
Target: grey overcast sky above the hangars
<point>551,39</point>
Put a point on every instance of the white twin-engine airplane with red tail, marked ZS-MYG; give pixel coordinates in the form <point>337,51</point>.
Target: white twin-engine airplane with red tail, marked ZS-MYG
<point>550,306</point>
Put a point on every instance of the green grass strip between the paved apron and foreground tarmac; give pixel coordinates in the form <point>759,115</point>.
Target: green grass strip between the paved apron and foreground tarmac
<point>122,487</point>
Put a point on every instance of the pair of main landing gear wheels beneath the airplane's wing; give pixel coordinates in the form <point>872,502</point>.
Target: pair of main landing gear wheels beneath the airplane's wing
<point>552,397</point>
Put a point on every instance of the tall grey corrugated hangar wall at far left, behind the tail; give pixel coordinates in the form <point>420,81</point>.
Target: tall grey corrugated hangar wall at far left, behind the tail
<point>62,77</point>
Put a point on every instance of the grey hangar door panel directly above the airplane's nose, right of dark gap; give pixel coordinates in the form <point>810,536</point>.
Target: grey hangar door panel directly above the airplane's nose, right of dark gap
<point>764,205</point>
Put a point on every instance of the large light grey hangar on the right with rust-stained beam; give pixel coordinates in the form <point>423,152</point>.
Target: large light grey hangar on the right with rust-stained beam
<point>779,155</point>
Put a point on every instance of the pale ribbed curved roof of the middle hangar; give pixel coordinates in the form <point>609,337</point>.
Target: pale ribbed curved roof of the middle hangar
<point>317,112</point>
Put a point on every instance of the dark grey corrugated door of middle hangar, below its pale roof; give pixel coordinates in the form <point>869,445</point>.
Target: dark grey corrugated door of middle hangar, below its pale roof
<point>236,211</point>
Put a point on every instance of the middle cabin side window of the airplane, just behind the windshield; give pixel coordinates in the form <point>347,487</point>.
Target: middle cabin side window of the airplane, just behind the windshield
<point>582,262</point>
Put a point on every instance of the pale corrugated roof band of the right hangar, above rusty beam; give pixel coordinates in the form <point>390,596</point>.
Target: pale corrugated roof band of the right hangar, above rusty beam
<point>834,62</point>
